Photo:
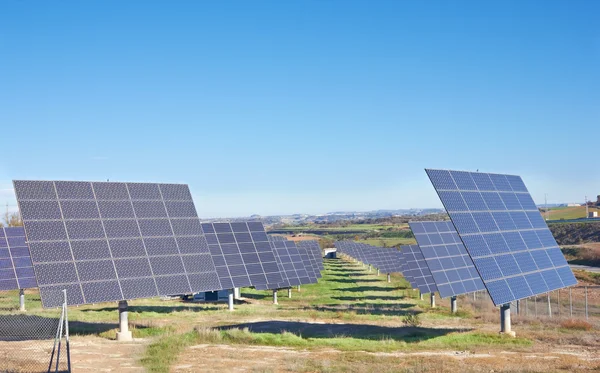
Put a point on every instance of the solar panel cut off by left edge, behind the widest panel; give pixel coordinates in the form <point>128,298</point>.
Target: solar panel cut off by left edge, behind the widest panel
<point>16,269</point>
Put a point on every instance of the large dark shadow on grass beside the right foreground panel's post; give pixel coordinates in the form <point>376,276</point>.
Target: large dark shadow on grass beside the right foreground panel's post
<point>359,331</point>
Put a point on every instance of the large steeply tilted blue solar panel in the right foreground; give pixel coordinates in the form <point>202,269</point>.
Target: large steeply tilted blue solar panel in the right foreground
<point>504,233</point>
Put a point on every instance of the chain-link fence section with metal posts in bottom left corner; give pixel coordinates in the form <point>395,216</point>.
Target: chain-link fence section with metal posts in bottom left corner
<point>34,343</point>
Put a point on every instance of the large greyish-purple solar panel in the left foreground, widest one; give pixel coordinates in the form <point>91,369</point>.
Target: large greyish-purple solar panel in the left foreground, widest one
<point>107,241</point>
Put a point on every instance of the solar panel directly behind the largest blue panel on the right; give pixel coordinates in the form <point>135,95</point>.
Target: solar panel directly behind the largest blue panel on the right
<point>447,259</point>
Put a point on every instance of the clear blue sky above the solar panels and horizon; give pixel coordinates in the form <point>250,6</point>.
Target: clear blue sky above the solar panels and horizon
<point>273,107</point>
